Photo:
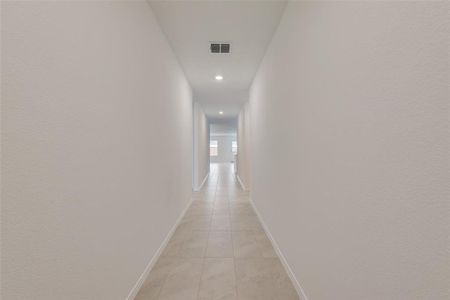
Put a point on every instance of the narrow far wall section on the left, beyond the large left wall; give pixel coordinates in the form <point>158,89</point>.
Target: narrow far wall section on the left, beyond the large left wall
<point>201,146</point>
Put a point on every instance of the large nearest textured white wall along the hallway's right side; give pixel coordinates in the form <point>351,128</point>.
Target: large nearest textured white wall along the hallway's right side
<point>349,147</point>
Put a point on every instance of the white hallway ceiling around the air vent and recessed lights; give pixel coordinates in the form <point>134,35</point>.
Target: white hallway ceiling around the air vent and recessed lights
<point>247,25</point>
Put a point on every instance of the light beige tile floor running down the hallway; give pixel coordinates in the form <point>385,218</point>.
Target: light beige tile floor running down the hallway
<point>219,251</point>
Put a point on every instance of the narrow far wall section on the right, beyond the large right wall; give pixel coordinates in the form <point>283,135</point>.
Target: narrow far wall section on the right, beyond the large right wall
<point>243,138</point>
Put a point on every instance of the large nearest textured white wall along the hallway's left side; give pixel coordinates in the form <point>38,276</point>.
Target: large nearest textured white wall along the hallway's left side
<point>90,189</point>
